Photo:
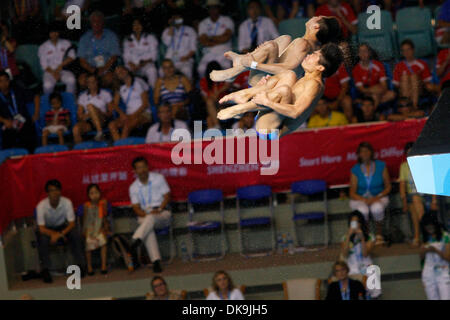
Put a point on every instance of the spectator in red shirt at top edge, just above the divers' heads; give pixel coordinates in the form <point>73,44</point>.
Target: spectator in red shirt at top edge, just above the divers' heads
<point>343,11</point>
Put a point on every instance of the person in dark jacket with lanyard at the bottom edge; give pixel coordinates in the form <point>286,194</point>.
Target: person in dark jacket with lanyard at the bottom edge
<point>345,288</point>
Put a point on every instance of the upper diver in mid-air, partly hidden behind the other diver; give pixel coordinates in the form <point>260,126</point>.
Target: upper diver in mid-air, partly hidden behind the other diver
<point>282,53</point>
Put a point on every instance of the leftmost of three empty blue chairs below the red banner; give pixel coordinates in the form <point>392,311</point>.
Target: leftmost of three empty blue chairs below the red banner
<point>202,198</point>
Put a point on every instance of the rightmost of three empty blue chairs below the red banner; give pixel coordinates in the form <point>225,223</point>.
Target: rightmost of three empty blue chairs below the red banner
<point>309,188</point>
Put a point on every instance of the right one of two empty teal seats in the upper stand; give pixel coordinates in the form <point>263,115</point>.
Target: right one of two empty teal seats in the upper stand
<point>414,23</point>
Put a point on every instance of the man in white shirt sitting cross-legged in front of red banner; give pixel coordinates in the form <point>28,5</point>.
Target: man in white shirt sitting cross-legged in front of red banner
<point>149,195</point>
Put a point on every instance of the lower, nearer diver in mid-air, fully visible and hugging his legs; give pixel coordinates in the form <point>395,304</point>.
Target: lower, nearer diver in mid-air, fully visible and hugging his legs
<point>283,102</point>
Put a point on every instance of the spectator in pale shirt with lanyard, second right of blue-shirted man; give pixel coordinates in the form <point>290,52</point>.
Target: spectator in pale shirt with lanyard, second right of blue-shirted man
<point>181,43</point>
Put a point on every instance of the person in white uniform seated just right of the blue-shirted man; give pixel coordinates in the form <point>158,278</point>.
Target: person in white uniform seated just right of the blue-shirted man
<point>140,52</point>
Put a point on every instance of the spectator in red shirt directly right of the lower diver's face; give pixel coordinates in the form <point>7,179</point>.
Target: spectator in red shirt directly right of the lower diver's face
<point>336,91</point>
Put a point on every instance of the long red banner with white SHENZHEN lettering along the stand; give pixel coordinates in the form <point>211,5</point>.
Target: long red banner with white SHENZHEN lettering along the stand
<point>326,154</point>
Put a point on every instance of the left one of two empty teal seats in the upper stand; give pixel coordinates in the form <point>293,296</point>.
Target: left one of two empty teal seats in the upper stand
<point>382,40</point>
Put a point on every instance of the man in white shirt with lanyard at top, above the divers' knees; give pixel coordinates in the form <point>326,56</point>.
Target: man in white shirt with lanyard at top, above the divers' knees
<point>256,29</point>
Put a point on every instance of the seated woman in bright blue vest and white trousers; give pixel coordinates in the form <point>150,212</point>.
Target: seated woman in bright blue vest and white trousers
<point>370,186</point>
